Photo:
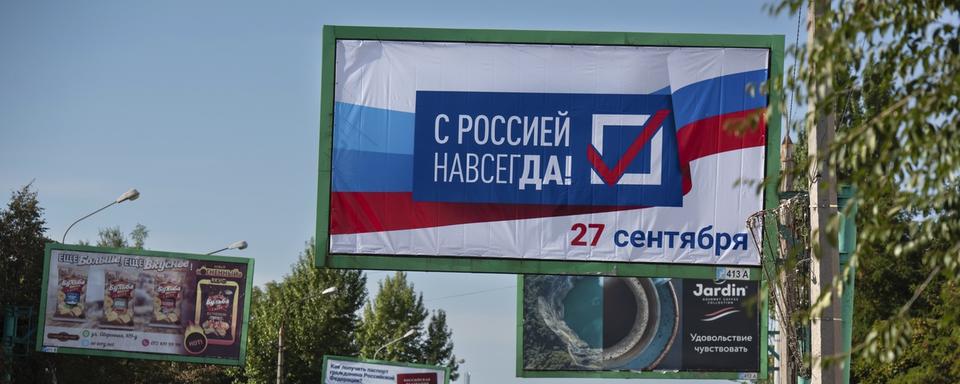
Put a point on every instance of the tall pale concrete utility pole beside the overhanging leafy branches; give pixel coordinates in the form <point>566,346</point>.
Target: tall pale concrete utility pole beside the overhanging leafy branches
<point>825,326</point>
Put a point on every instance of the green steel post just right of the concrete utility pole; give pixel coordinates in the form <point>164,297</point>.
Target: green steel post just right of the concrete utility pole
<point>847,245</point>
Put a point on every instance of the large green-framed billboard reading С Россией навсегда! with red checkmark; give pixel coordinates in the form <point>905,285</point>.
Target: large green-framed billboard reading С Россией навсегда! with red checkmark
<point>441,147</point>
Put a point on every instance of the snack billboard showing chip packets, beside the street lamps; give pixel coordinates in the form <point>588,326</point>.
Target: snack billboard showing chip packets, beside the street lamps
<point>144,304</point>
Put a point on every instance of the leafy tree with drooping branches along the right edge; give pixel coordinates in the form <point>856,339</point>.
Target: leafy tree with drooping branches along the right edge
<point>901,155</point>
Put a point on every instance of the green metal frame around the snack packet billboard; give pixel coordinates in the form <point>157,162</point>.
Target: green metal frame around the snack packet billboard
<point>41,322</point>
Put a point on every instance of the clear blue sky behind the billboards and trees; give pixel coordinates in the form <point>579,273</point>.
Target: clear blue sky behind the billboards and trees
<point>211,110</point>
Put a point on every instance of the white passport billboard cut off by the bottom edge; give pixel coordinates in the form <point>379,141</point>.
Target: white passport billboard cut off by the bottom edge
<point>351,370</point>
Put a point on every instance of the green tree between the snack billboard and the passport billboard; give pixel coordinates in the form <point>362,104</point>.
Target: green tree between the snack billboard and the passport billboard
<point>314,324</point>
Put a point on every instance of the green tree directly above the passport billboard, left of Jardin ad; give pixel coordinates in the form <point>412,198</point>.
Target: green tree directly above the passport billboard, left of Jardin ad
<point>397,309</point>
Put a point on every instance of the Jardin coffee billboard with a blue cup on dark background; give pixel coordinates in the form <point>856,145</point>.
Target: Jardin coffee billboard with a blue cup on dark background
<point>592,326</point>
